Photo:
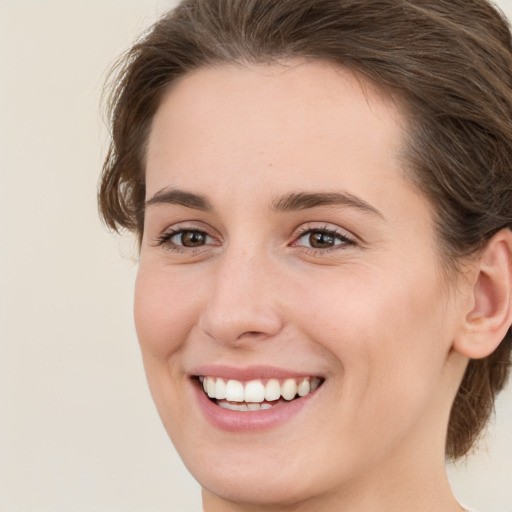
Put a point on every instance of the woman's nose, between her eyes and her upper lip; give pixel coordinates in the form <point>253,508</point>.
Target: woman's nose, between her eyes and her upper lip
<point>242,306</point>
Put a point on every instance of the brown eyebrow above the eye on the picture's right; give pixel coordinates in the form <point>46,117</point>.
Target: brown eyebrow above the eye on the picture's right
<point>306,200</point>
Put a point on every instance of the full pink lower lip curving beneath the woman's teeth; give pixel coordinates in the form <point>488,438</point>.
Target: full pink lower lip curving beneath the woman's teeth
<point>248,421</point>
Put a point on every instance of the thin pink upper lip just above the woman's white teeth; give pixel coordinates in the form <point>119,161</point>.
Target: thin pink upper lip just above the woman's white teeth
<point>249,373</point>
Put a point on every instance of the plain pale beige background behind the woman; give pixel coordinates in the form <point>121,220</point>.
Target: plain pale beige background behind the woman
<point>78,430</point>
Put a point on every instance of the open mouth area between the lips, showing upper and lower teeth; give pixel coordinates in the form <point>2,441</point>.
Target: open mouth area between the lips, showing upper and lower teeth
<point>257,395</point>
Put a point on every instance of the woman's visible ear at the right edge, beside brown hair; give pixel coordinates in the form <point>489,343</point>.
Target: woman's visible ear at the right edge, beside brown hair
<point>490,316</point>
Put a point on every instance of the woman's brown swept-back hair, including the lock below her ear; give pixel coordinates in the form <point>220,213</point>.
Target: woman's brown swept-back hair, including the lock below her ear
<point>448,61</point>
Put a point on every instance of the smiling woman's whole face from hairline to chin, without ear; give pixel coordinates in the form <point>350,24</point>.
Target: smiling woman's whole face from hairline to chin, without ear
<point>283,247</point>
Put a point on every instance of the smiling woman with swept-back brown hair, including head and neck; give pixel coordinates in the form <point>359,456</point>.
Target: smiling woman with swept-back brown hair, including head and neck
<point>321,192</point>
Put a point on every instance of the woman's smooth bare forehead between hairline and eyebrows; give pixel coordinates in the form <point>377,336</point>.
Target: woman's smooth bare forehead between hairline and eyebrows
<point>308,123</point>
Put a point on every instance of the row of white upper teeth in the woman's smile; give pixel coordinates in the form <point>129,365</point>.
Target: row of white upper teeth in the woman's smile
<point>256,391</point>
